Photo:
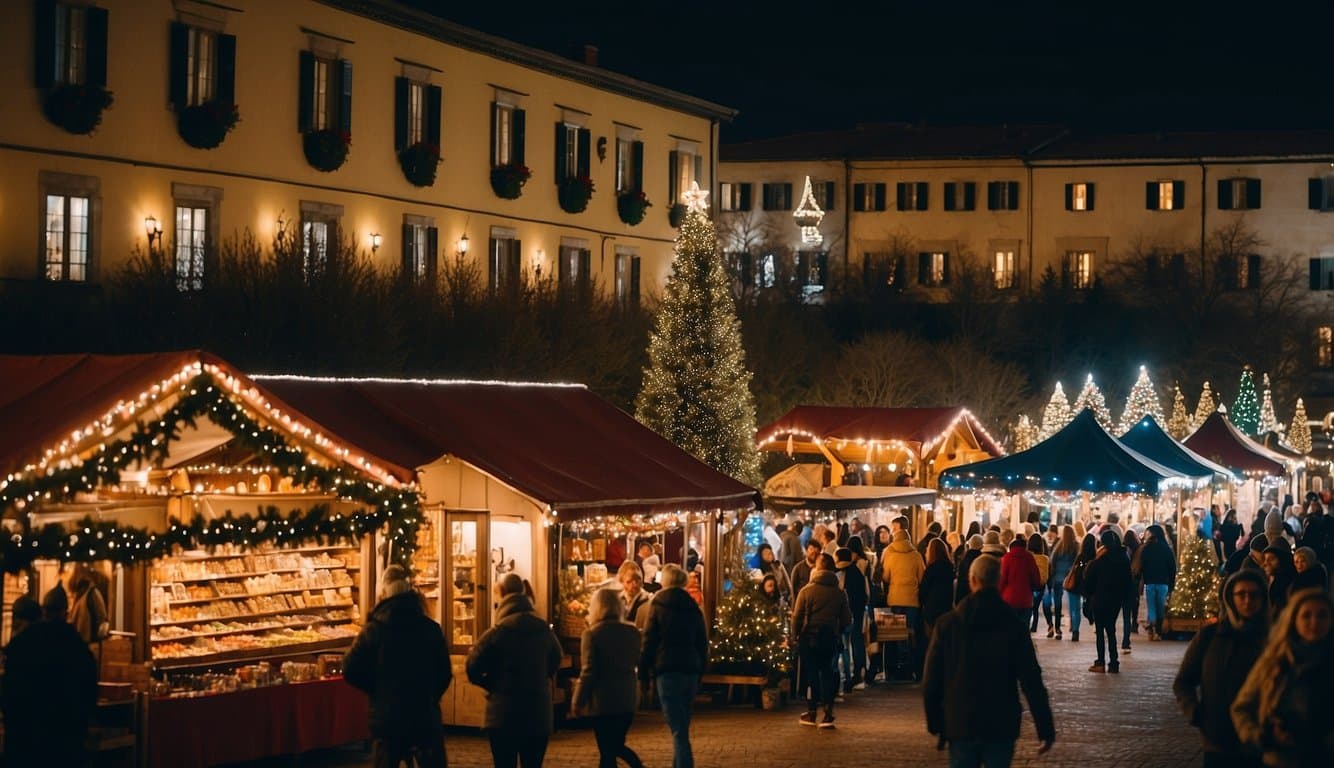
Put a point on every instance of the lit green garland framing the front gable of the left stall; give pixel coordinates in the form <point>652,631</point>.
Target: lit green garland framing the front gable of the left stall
<point>400,509</point>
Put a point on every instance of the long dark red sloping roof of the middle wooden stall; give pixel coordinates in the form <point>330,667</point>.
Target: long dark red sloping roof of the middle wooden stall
<point>557,443</point>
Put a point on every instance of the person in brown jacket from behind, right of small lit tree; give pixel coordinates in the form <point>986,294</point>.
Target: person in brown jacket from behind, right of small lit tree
<point>820,618</point>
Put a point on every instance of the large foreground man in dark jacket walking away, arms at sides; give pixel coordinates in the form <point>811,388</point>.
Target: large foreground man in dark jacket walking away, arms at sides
<point>978,662</point>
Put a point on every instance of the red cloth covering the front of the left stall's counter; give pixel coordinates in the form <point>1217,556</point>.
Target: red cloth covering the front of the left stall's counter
<point>258,723</point>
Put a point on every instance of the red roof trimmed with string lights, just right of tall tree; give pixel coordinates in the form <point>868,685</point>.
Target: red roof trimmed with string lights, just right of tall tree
<point>922,426</point>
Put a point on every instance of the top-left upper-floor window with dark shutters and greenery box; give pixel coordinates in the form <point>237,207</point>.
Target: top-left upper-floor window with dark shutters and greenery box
<point>71,66</point>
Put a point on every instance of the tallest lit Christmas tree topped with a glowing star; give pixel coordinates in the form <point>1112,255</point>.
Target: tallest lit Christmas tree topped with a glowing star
<point>697,387</point>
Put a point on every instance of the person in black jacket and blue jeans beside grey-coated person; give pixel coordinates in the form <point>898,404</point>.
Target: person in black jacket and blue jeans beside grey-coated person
<point>674,657</point>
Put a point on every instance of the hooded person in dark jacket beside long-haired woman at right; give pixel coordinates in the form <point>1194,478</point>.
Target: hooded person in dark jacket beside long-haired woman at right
<point>1216,666</point>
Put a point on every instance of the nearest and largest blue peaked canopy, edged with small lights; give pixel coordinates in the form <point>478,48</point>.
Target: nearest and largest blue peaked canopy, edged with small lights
<point>1079,458</point>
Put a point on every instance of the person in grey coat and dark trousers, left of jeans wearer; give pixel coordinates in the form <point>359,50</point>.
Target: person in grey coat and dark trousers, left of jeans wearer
<point>608,689</point>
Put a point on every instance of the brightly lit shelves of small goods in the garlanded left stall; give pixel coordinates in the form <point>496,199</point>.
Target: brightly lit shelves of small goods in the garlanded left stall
<point>217,610</point>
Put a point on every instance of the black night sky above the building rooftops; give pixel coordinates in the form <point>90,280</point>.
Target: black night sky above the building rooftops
<point>1160,66</point>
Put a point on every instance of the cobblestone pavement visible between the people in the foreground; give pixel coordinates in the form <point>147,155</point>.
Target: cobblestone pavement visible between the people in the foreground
<point>1127,721</point>
